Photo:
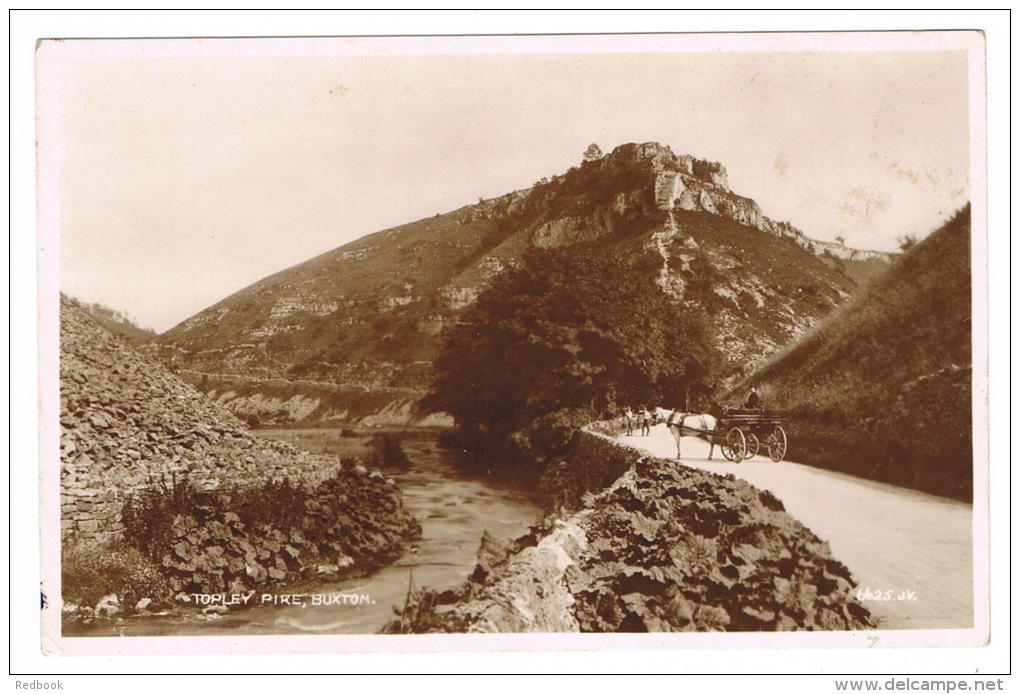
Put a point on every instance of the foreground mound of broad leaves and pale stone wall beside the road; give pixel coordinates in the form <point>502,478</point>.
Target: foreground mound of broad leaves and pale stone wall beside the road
<point>666,549</point>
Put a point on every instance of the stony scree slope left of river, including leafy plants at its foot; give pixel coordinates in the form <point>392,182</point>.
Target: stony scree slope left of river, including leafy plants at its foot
<point>149,463</point>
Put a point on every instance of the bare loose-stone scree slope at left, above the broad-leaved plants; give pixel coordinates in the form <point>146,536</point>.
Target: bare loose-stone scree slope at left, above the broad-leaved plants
<point>128,424</point>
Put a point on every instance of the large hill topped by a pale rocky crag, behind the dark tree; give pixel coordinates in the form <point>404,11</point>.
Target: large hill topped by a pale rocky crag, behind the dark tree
<point>371,315</point>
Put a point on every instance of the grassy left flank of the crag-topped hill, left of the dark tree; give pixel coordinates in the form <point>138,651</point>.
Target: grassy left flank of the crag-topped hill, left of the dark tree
<point>355,337</point>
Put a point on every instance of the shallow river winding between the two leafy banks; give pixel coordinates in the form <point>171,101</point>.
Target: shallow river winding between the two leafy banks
<point>453,509</point>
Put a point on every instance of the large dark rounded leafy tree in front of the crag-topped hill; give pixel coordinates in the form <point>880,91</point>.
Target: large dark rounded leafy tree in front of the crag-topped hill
<point>565,339</point>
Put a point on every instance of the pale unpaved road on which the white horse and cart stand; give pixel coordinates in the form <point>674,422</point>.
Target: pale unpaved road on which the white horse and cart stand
<point>911,554</point>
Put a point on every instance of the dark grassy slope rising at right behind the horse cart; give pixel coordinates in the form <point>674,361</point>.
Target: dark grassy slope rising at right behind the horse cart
<point>883,389</point>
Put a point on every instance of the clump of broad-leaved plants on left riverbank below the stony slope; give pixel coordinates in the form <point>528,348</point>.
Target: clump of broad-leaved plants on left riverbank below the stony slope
<point>236,539</point>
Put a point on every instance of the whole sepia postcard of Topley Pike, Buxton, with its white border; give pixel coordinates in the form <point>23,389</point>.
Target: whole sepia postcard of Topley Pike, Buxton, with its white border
<point>482,342</point>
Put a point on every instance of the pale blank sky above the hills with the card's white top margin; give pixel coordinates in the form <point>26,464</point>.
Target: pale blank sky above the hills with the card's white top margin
<point>177,173</point>
